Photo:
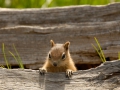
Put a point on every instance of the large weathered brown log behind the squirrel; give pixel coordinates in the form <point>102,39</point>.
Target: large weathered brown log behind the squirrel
<point>32,29</point>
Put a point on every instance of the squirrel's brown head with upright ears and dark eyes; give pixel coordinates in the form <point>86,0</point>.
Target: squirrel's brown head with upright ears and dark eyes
<point>58,54</point>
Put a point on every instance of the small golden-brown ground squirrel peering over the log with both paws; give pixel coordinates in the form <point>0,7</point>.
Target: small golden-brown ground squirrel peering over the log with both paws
<point>59,60</point>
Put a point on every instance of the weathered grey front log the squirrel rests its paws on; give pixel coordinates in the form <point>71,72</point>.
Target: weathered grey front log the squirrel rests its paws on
<point>104,77</point>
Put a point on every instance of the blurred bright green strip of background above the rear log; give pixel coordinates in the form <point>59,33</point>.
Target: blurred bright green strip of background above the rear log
<point>50,3</point>
